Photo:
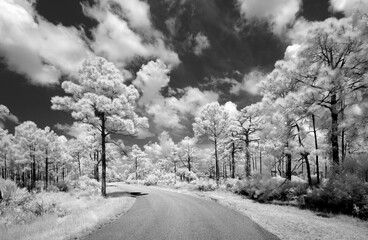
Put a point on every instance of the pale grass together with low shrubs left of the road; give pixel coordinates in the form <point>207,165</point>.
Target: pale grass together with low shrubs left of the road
<point>68,209</point>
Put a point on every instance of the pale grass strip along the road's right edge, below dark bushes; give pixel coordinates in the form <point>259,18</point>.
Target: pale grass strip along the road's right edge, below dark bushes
<point>288,222</point>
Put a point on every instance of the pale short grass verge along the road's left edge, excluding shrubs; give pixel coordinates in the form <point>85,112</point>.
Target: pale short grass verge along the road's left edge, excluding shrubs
<point>79,214</point>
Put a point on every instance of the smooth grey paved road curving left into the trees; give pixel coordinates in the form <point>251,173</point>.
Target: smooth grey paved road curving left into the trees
<point>158,215</point>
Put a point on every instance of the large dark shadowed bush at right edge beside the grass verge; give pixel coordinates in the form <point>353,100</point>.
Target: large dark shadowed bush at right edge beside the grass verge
<point>345,194</point>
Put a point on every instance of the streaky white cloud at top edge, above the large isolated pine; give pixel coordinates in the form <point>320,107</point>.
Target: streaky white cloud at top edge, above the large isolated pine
<point>116,38</point>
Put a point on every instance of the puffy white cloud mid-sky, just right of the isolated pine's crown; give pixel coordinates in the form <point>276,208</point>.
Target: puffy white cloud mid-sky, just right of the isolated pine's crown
<point>168,112</point>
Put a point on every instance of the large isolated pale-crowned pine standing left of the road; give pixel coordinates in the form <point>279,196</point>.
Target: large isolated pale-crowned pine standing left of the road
<point>100,98</point>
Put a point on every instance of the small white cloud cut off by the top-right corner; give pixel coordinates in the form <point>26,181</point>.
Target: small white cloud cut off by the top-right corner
<point>349,7</point>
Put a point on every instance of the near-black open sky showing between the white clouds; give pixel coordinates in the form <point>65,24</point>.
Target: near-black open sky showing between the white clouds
<point>236,48</point>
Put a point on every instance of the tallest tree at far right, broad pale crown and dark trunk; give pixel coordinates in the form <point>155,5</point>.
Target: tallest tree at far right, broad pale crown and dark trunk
<point>333,62</point>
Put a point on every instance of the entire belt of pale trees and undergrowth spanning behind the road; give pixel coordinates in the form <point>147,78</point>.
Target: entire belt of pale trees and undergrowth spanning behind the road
<point>307,139</point>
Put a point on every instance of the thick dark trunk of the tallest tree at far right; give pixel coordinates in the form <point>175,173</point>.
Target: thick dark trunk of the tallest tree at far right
<point>334,134</point>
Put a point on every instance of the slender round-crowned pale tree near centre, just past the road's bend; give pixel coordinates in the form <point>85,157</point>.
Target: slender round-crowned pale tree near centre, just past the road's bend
<point>213,123</point>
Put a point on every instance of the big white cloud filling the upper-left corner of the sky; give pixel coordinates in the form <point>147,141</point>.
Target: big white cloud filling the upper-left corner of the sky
<point>38,49</point>
